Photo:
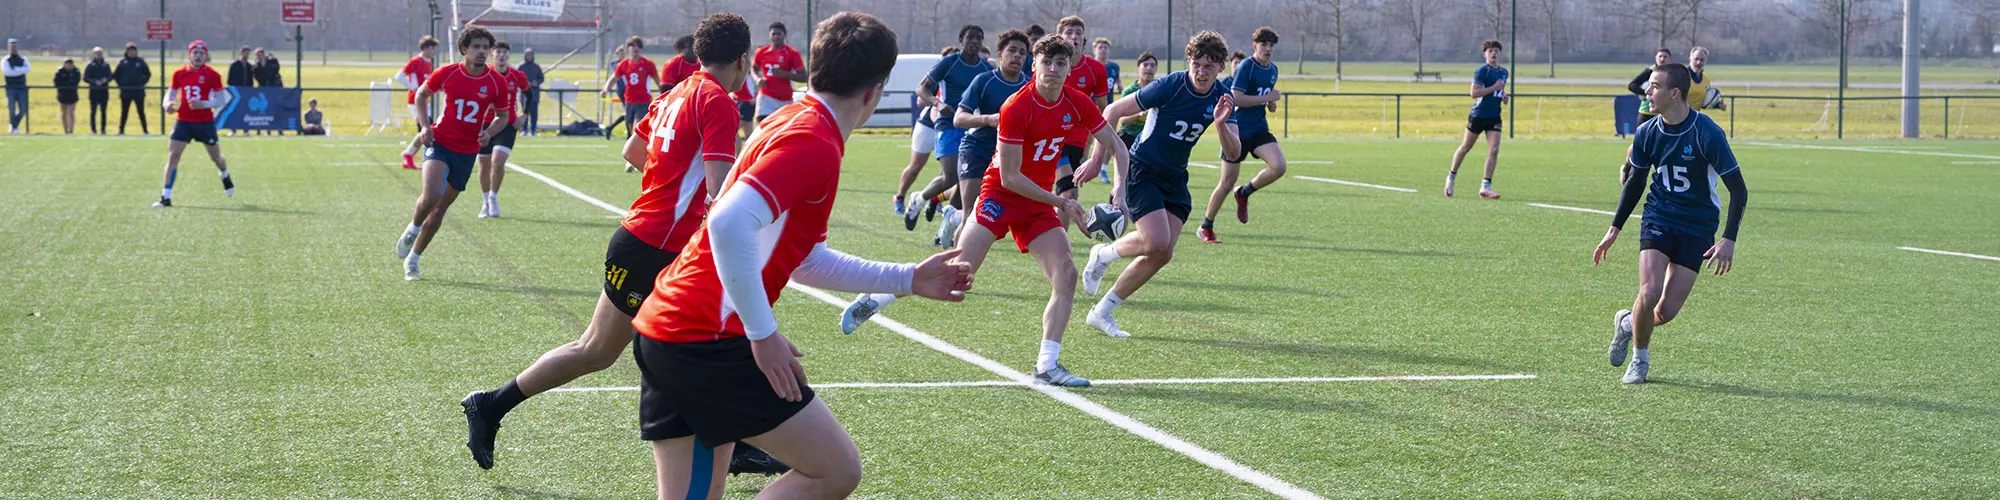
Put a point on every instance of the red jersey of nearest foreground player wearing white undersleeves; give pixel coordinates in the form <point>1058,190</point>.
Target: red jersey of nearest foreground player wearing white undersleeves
<point>795,167</point>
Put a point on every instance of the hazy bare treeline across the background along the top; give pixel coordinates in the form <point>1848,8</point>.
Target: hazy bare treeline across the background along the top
<point>1423,31</point>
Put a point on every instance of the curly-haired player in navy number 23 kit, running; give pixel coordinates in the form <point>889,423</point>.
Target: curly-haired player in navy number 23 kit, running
<point>1179,109</point>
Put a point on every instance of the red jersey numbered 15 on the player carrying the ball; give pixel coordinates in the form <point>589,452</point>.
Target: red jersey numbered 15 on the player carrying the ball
<point>1041,129</point>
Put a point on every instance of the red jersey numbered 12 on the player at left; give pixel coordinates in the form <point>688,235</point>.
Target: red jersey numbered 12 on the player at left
<point>469,103</point>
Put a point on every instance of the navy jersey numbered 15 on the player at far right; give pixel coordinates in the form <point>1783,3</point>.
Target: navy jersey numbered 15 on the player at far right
<point>1687,163</point>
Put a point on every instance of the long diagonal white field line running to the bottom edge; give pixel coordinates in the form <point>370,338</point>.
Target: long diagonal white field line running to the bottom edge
<point>1201,455</point>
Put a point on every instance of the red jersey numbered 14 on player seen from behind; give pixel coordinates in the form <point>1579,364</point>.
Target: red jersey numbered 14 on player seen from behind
<point>691,125</point>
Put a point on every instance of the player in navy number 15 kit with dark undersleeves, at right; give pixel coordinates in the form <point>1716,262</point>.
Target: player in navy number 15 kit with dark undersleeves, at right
<point>1687,155</point>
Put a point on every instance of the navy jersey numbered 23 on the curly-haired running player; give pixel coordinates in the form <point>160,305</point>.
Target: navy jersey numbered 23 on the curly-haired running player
<point>1175,121</point>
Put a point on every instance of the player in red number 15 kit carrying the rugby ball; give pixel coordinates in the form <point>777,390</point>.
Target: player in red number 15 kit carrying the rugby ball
<point>1017,197</point>
